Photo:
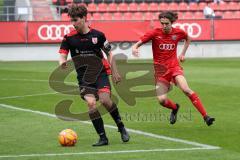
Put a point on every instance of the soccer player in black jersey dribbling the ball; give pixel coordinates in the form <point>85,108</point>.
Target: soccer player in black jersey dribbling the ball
<point>87,46</point>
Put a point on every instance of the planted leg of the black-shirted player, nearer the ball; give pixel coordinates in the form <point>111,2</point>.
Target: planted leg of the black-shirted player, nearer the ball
<point>96,119</point>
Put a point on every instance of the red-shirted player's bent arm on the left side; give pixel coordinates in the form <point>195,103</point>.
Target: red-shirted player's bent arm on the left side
<point>144,39</point>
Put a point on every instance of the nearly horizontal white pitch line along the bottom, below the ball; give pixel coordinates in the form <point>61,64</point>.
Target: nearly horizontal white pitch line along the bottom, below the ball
<point>103,152</point>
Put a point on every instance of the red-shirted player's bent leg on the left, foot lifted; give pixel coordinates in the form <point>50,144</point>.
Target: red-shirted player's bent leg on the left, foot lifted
<point>162,88</point>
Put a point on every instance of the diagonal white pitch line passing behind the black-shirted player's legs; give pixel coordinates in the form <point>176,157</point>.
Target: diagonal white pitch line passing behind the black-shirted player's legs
<point>203,146</point>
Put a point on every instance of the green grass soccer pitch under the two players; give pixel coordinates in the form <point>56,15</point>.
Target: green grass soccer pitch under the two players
<point>27,135</point>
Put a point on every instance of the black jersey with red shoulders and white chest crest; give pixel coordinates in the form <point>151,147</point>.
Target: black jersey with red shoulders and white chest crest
<point>86,46</point>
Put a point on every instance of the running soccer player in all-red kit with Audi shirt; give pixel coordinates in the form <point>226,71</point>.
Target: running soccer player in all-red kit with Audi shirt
<point>166,64</point>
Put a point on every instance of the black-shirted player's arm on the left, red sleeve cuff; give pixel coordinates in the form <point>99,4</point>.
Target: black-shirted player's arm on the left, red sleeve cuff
<point>64,49</point>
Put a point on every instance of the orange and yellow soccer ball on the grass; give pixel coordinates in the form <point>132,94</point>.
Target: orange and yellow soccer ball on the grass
<point>67,137</point>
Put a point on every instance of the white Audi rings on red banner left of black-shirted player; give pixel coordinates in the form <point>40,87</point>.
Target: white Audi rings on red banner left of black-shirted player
<point>53,32</point>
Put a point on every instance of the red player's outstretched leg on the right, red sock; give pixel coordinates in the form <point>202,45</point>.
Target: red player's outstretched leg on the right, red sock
<point>183,85</point>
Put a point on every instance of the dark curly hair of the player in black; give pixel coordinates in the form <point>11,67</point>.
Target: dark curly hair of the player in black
<point>75,10</point>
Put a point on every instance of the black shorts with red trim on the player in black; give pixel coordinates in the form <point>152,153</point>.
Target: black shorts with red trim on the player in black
<point>102,84</point>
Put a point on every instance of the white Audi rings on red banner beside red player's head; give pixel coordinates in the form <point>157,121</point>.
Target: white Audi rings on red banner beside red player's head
<point>194,30</point>
